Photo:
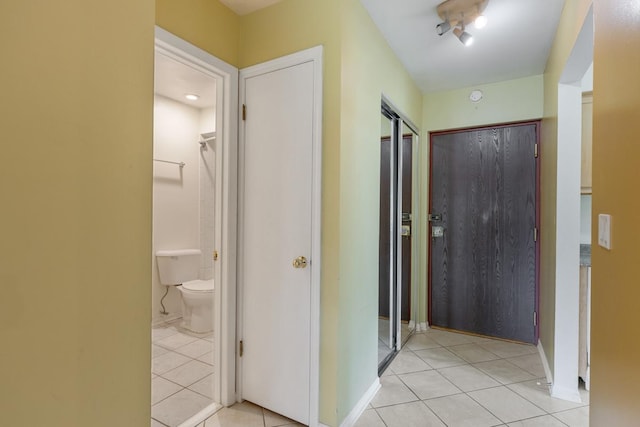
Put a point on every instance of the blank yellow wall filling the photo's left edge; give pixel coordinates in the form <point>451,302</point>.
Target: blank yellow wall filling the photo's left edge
<point>76,120</point>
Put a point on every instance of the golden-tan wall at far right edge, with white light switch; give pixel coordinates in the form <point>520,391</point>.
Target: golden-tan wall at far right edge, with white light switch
<point>615,348</point>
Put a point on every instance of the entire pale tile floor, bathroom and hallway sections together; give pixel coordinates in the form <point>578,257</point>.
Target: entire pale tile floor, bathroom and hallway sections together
<point>440,378</point>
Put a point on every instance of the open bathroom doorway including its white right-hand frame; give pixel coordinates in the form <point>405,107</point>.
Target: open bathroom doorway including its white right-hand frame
<point>193,215</point>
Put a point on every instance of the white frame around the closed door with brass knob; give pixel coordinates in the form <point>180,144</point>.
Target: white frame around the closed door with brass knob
<point>313,55</point>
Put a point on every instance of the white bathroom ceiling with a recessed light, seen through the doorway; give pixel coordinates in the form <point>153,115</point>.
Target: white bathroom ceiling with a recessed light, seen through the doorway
<point>174,80</point>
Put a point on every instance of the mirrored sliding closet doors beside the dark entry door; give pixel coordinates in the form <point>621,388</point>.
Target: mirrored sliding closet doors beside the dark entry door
<point>397,274</point>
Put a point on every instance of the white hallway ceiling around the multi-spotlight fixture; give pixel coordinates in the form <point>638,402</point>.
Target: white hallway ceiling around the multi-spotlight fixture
<point>514,44</point>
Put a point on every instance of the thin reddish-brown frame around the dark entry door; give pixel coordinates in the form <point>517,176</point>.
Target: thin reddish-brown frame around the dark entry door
<point>537,124</point>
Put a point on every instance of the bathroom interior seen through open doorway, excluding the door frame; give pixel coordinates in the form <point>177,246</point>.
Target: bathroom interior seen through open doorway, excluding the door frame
<point>184,218</point>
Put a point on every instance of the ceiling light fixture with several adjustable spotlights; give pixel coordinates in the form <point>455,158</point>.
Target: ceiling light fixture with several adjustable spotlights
<point>460,13</point>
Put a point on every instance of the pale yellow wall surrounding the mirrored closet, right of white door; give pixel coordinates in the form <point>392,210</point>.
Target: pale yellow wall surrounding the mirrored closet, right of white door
<point>369,69</point>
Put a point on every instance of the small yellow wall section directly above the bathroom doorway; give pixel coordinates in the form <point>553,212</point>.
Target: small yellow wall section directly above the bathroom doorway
<point>208,24</point>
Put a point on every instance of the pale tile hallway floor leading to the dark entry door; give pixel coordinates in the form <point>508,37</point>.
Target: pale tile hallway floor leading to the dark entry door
<point>442,378</point>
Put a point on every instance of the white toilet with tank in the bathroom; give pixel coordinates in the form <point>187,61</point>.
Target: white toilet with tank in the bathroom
<point>180,268</point>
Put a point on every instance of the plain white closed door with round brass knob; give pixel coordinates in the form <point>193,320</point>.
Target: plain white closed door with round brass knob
<point>277,181</point>
